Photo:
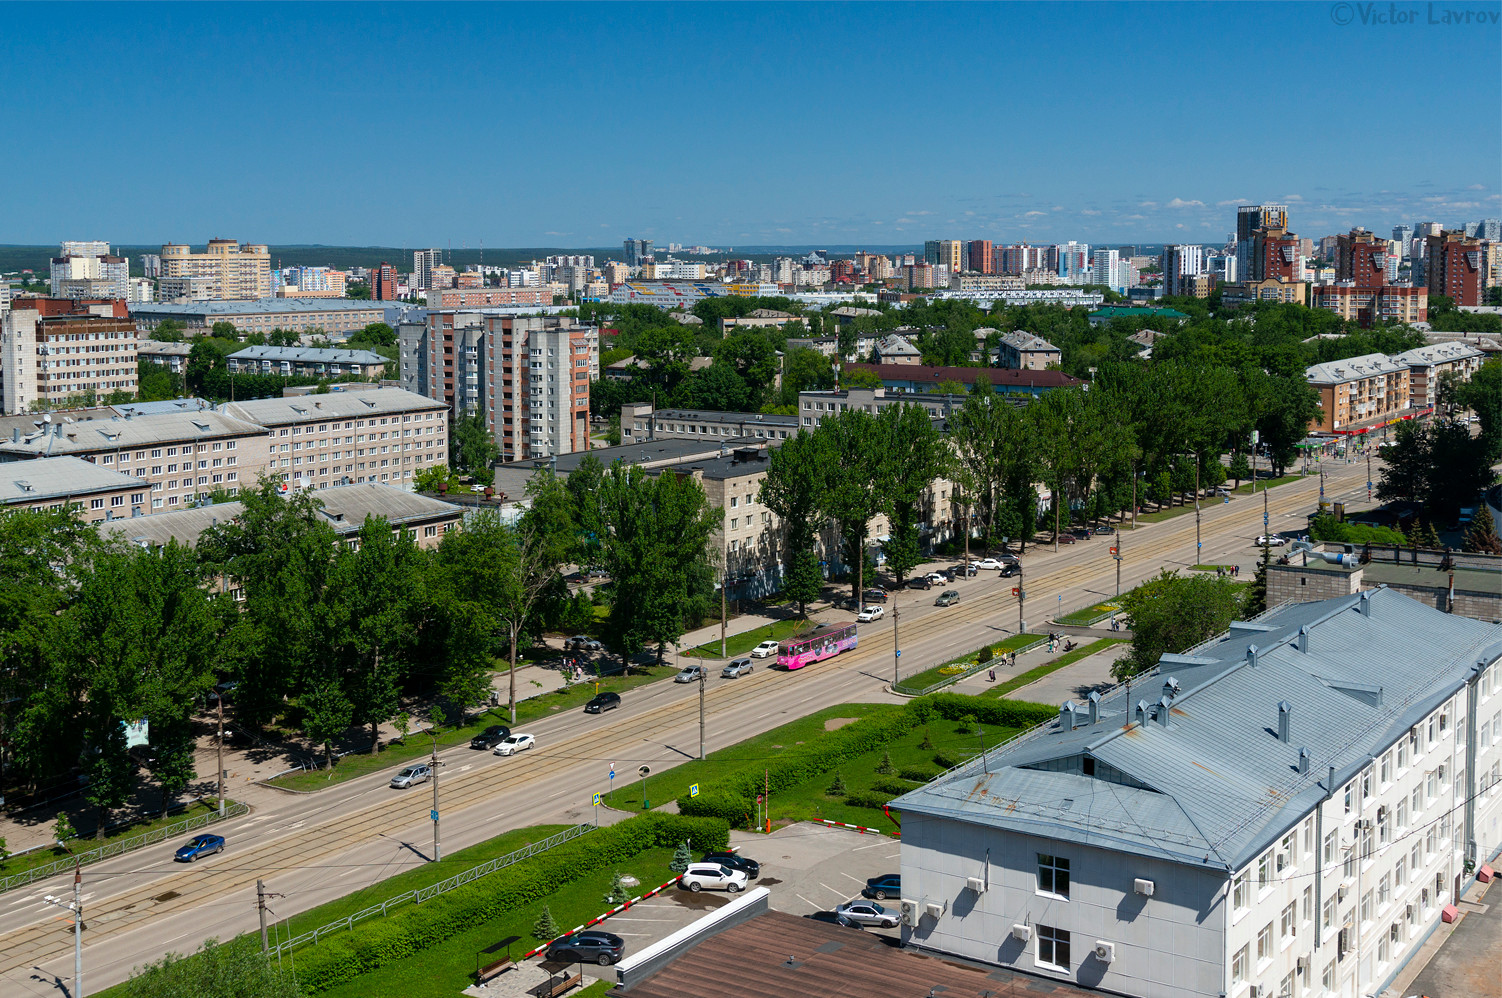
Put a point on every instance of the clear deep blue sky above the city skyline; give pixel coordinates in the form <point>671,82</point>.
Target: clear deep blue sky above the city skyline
<point>579,126</point>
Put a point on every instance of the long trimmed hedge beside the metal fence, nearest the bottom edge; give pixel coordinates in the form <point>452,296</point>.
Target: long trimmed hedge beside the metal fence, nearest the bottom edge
<point>420,928</point>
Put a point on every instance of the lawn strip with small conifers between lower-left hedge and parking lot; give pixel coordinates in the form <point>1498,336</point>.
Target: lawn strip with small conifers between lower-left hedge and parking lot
<point>445,970</point>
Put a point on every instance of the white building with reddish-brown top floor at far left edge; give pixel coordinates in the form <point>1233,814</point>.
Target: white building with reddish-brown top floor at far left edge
<point>53,349</point>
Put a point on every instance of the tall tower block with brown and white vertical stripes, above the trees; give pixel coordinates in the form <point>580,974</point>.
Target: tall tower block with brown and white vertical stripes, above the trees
<point>529,377</point>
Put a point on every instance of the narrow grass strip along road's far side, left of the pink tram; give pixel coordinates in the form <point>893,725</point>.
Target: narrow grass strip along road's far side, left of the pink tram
<point>420,746</point>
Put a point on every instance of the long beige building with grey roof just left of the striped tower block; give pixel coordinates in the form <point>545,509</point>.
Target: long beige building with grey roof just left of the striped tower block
<point>349,437</point>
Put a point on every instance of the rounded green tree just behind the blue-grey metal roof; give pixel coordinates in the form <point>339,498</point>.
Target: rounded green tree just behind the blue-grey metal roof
<point>1171,614</point>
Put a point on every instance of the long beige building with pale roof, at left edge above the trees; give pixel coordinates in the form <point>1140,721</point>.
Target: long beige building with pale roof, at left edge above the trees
<point>181,456</point>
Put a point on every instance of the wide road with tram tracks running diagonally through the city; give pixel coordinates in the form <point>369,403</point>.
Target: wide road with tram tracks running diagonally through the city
<point>313,848</point>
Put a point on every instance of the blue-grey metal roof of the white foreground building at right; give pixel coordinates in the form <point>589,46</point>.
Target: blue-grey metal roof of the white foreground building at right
<point>1216,787</point>
